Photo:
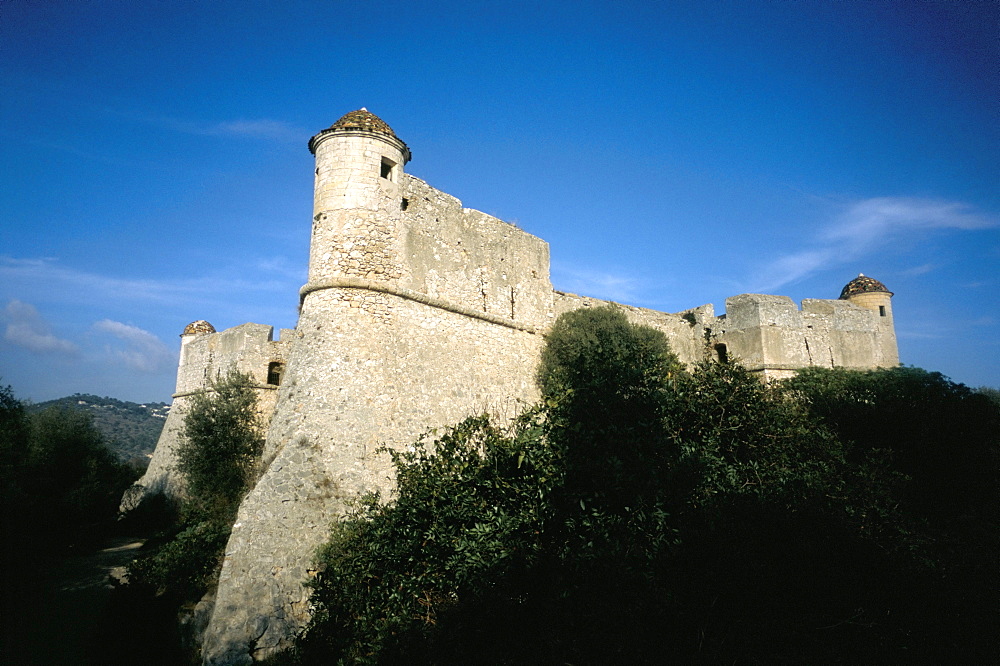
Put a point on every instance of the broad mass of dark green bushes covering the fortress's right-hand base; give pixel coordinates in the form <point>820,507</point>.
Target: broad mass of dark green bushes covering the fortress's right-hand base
<point>642,512</point>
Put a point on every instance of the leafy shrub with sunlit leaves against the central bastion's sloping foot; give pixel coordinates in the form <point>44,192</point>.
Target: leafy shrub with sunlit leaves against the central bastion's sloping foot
<point>467,521</point>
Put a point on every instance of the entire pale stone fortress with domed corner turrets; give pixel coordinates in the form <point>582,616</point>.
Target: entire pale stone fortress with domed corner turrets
<point>416,313</point>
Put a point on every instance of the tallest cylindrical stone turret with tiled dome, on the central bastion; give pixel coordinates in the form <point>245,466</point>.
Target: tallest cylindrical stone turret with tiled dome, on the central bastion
<point>359,163</point>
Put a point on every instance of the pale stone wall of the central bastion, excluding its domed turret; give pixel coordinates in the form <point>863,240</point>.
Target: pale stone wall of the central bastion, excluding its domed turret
<point>379,360</point>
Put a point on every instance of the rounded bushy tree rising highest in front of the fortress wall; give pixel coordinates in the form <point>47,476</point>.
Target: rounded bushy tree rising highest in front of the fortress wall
<point>605,384</point>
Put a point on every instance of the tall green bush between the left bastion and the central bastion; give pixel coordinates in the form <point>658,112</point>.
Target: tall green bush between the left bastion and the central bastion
<point>219,459</point>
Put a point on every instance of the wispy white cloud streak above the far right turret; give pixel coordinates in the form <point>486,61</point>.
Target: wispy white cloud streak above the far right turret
<point>865,226</point>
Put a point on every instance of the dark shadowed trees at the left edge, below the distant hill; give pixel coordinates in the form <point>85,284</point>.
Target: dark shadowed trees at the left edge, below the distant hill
<point>59,492</point>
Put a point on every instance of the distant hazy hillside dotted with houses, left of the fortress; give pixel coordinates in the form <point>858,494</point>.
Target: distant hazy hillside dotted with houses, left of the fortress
<point>131,429</point>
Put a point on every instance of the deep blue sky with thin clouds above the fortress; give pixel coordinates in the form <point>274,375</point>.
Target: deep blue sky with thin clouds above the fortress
<point>155,169</point>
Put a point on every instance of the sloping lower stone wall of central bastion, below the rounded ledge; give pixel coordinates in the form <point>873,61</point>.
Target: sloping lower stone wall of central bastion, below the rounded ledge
<point>370,370</point>
